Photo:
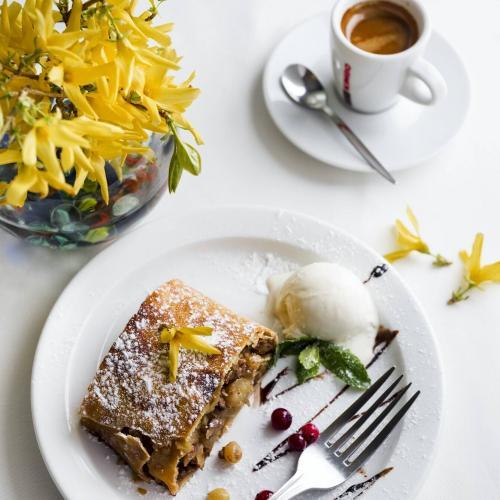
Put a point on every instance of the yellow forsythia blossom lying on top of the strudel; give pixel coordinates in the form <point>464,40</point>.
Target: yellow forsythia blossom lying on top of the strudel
<point>188,338</point>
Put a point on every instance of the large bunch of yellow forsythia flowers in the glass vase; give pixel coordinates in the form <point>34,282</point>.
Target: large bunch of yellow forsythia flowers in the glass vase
<point>81,86</point>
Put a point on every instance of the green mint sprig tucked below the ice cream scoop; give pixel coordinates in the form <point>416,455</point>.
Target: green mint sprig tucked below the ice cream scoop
<point>312,353</point>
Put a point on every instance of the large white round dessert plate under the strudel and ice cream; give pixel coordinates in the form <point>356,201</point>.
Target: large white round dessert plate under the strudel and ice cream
<point>227,253</point>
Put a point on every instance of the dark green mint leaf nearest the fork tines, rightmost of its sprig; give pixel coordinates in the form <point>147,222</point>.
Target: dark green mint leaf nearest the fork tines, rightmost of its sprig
<point>344,365</point>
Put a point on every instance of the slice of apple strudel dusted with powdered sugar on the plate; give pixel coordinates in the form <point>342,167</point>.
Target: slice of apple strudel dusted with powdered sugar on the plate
<point>165,429</point>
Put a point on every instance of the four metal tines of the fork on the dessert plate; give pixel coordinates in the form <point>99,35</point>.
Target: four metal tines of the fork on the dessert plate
<point>387,398</point>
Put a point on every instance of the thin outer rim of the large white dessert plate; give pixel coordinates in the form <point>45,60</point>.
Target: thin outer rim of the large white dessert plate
<point>222,210</point>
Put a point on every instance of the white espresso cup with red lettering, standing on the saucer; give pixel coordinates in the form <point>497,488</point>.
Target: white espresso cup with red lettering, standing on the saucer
<point>371,82</point>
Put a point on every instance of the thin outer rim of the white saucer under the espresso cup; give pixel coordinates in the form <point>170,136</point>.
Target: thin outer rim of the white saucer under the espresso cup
<point>354,167</point>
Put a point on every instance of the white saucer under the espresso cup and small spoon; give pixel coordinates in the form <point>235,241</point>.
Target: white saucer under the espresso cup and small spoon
<point>404,136</point>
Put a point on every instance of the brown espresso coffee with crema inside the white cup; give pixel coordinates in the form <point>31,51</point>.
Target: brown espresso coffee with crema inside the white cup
<point>380,27</point>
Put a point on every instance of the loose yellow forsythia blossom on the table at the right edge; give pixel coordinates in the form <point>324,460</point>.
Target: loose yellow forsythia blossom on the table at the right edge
<point>475,274</point>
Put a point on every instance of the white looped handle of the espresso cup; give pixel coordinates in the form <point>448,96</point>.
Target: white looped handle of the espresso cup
<point>423,71</point>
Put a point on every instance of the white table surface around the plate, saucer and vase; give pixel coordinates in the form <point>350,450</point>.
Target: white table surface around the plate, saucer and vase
<point>247,161</point>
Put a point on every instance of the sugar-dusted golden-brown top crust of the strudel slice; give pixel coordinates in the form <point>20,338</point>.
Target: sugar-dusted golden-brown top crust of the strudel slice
<point>131,388</point>
